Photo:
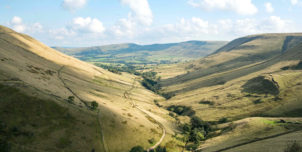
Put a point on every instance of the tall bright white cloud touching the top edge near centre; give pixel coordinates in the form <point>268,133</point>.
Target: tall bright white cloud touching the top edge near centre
<point>141,10</point>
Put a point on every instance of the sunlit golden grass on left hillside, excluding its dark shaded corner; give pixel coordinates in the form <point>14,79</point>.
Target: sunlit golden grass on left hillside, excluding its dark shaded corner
<point>30,63</point>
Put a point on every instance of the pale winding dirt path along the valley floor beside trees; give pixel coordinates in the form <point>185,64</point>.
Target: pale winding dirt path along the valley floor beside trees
<point>127,94</point>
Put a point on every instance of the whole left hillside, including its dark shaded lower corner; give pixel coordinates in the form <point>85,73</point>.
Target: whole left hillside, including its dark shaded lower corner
<point>50,77</point>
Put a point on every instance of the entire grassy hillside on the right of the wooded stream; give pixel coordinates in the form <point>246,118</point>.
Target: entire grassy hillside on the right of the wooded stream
<point>238,83</point>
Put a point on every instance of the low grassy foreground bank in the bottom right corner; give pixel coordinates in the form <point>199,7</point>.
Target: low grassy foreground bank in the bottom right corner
<point>255,134</point>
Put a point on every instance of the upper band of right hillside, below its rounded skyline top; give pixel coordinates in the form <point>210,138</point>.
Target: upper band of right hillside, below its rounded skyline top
<point>239,52</point>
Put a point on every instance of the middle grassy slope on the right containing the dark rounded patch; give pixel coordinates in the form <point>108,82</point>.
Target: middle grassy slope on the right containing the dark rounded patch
<point>270,88</point>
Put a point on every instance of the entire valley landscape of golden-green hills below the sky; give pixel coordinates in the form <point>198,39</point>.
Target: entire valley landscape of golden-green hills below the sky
<point>242,95</point>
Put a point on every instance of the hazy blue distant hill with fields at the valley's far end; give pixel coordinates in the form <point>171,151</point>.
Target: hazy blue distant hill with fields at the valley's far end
<point>144,54</point>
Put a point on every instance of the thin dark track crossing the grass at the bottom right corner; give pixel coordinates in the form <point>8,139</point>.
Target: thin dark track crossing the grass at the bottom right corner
<point>252,141</point>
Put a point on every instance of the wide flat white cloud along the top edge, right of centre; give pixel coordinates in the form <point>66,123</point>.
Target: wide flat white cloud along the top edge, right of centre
<point>242,7</point>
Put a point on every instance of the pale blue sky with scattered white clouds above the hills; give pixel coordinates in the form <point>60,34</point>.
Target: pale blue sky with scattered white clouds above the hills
<point>81,23</point>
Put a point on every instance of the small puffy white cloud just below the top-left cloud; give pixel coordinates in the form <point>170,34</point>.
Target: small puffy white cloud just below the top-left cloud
<point>90,25</point>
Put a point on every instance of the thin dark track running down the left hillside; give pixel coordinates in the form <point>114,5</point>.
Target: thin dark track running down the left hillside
<point>105,146</point>
